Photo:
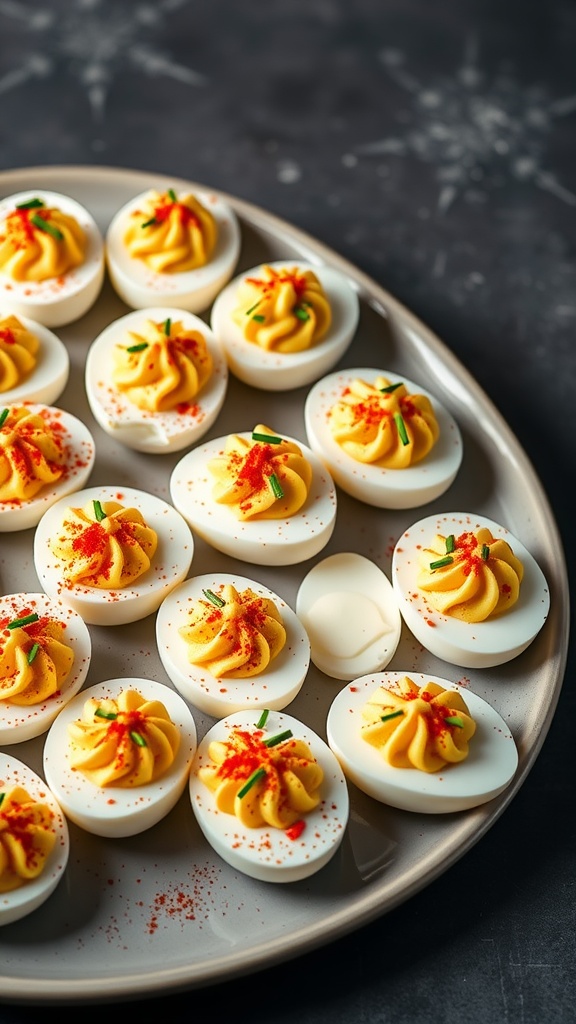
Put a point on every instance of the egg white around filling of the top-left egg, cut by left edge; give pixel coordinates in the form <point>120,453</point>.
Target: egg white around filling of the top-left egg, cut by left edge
<point>58,301</point>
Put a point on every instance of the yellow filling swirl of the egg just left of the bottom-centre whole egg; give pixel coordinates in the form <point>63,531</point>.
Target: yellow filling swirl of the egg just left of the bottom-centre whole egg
<point>128,742</point>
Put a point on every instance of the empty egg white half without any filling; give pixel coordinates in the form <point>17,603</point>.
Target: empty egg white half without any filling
<point>350,612</point>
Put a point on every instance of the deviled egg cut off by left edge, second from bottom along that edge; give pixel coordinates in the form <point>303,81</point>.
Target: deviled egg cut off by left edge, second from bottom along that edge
<point>46,652</point>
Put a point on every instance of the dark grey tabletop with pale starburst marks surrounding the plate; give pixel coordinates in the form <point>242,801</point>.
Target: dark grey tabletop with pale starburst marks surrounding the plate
<point>433,146</point>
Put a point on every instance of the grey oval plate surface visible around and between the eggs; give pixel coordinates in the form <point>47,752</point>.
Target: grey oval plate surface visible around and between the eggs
<point>160,911</point>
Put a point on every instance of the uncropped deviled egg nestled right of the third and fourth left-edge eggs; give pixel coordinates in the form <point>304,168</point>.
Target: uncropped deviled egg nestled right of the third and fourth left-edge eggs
<point>112,553</point>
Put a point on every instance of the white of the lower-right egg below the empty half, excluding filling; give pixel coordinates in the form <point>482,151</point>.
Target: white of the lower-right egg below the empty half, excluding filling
<point>488,770</point>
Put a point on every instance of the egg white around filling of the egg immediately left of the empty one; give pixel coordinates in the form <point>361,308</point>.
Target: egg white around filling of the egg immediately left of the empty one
<point>274,689</point>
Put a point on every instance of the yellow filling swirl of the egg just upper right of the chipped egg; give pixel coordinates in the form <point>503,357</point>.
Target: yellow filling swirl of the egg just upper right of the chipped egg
<point>284,311</point>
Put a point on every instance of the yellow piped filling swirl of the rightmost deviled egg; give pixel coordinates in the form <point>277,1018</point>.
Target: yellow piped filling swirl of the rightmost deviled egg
<point>479,577</point>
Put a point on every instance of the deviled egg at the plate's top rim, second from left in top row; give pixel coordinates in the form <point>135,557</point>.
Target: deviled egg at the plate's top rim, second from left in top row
<point>173,248</point>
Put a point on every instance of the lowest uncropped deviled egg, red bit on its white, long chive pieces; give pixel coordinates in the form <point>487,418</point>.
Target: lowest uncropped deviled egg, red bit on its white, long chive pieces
<point>269,796</point>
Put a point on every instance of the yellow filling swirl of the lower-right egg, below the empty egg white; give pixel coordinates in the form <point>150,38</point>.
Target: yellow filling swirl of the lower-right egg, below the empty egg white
<point>425,728</point>
